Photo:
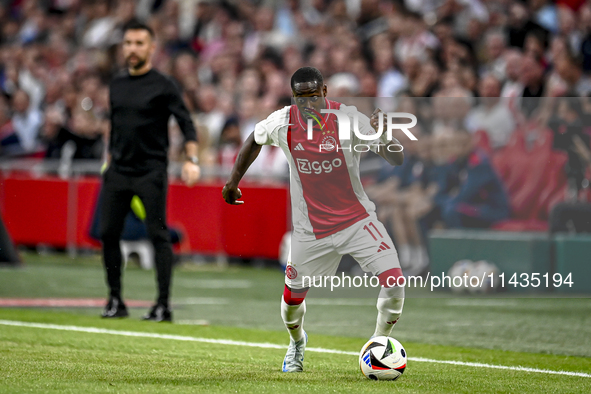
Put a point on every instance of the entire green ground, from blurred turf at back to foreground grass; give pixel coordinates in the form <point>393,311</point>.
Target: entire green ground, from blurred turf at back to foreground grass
<point>498,331</point>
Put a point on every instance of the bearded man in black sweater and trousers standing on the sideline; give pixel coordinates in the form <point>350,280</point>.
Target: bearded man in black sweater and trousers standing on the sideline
<point>142,100</point>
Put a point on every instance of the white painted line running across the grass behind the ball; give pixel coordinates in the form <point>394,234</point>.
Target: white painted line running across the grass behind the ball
<point>96,330</point>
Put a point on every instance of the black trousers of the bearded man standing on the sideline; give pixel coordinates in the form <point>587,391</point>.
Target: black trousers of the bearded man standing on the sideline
<point>118,190</point>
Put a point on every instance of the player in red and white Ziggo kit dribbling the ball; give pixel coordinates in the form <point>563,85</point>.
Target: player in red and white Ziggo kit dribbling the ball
<point>331,213</point>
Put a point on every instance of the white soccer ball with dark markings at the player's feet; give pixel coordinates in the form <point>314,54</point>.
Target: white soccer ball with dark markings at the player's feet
<point>382,358</point>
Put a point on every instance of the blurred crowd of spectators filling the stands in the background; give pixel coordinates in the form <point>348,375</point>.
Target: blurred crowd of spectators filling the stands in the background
<point>233,60</point>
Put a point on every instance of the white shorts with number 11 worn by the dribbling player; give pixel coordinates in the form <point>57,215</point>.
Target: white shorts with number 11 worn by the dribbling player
<point>367,241</point>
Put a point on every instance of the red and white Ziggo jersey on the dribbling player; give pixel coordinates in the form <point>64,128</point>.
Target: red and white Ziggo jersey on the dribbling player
<point>326,191</point>
